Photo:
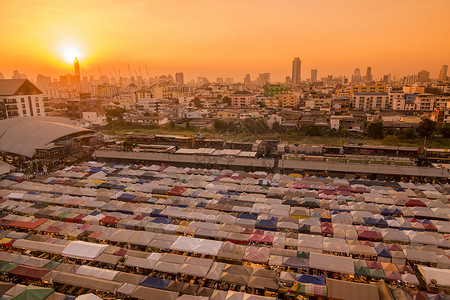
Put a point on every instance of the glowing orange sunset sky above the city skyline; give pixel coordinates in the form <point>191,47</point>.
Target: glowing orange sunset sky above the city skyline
<point>226,38</point>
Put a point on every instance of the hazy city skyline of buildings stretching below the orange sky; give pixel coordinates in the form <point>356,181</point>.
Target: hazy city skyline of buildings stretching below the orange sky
<point>329,102</point>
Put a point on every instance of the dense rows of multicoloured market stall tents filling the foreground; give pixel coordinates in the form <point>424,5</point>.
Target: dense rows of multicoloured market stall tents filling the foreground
<point>222,234</point>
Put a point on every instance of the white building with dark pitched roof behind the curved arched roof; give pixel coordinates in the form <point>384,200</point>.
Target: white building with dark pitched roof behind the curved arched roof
<point>21,98</point>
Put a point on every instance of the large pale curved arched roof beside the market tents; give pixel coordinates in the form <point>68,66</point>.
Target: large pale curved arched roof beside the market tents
<point>22,135</point>
